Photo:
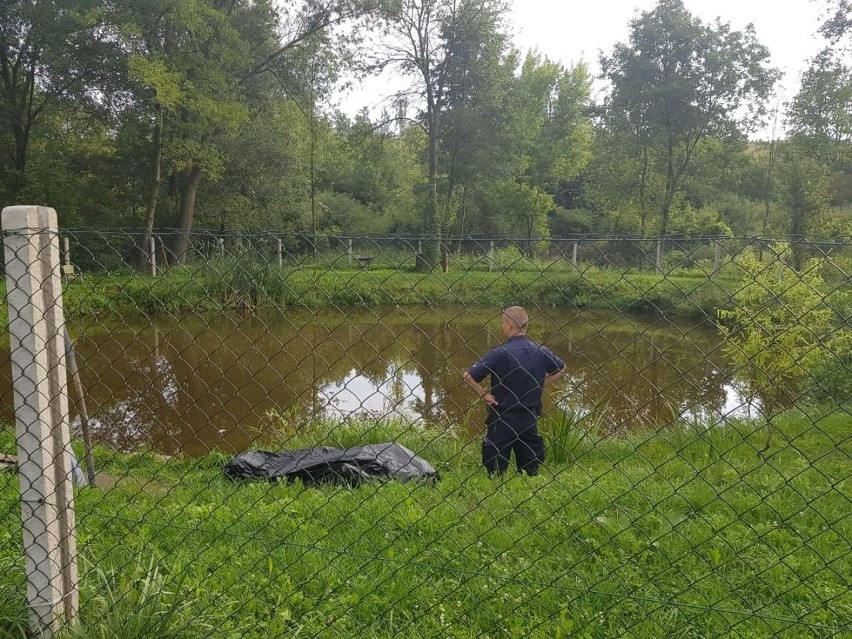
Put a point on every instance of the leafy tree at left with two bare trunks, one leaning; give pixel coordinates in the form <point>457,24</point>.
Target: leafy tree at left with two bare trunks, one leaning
<point>183,61</point>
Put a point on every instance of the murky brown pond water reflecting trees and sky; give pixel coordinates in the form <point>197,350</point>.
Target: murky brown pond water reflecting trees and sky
<point>200,382</point>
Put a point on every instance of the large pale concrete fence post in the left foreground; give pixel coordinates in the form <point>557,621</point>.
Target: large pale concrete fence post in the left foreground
<point>37,353</point>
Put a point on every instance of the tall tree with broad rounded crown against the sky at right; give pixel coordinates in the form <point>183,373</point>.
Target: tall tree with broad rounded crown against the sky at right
<point>678,82</point>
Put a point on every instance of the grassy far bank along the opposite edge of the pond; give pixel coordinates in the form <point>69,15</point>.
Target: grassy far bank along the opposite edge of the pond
<point>252,286</point>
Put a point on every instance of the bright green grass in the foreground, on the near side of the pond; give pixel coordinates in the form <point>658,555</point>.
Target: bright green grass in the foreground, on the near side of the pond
<point>682,533</point>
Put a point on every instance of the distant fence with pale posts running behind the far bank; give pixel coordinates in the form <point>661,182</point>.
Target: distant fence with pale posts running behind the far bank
<point>86,249</point>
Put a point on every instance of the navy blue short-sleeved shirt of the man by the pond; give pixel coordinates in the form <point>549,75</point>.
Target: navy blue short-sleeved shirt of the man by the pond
<point>517,368</point>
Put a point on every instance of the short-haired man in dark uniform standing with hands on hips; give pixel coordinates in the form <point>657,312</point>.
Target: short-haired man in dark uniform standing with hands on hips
<point>519,370</point>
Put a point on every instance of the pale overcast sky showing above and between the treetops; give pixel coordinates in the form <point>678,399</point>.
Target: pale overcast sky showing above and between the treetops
<point>572,30</point>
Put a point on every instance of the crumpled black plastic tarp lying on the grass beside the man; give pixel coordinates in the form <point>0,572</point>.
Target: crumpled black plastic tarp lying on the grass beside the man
<point>335,465</point>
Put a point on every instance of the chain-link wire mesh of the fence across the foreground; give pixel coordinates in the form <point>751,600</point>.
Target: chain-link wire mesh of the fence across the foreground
<point>696,480</point>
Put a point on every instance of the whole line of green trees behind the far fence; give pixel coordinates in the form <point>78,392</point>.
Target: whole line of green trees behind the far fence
<point>215,114</point>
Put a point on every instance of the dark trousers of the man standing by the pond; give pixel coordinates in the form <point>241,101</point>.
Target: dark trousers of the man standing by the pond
<point>512,431</point>
